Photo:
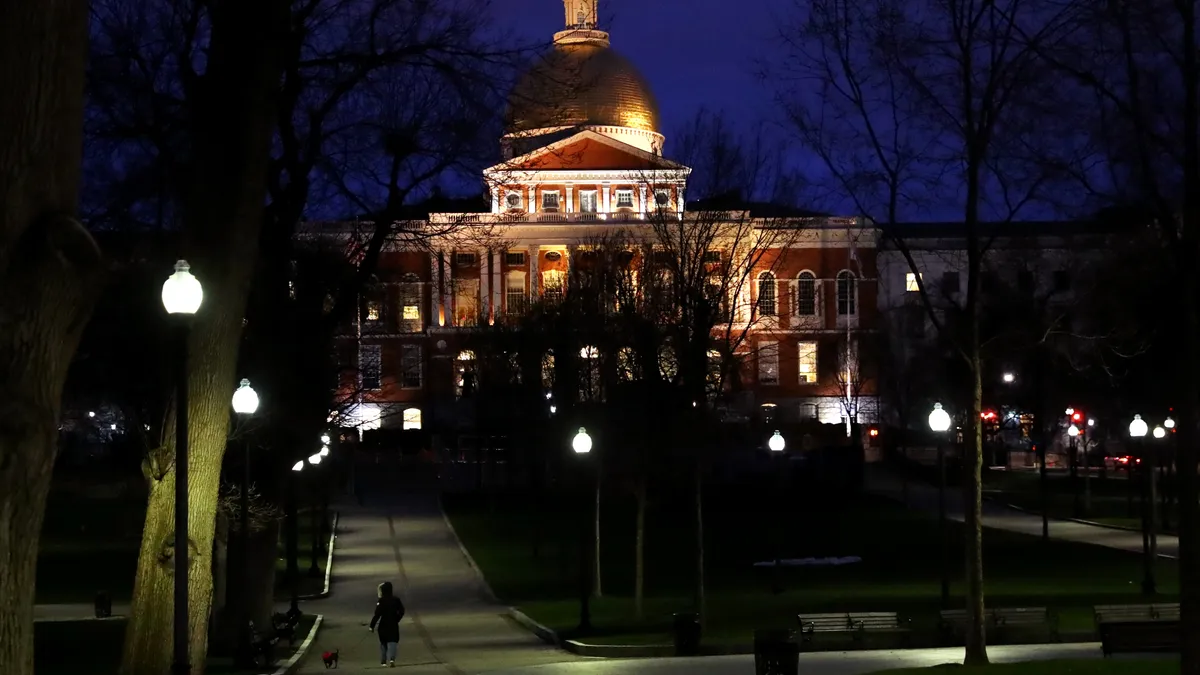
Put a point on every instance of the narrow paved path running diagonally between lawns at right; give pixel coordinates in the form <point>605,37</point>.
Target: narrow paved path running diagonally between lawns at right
<point>923,497</point>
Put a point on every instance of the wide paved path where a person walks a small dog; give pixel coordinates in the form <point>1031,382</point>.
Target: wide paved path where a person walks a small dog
<point>399,535</point>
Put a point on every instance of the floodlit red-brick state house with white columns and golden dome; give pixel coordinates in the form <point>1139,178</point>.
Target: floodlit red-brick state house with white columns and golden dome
<point>585,158</point>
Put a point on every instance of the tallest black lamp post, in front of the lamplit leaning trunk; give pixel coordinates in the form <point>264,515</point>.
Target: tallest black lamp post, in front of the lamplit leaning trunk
<point>182,297</point>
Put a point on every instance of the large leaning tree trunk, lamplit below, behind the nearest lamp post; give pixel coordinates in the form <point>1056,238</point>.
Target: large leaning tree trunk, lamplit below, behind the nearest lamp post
<point>223,213</point>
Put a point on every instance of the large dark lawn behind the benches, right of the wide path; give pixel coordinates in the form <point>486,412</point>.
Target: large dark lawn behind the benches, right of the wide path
<point>899,570</point>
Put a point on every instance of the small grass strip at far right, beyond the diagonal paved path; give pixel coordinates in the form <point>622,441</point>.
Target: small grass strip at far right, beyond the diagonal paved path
<point>1109,505</point>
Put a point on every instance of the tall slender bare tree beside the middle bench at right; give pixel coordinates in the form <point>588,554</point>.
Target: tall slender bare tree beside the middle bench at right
<point>919,100</point>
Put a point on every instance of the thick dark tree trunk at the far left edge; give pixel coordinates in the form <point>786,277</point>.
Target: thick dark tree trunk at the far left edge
<point>50,270</point>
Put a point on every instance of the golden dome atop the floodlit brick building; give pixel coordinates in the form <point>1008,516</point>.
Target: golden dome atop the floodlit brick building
<point>583,85</point>
